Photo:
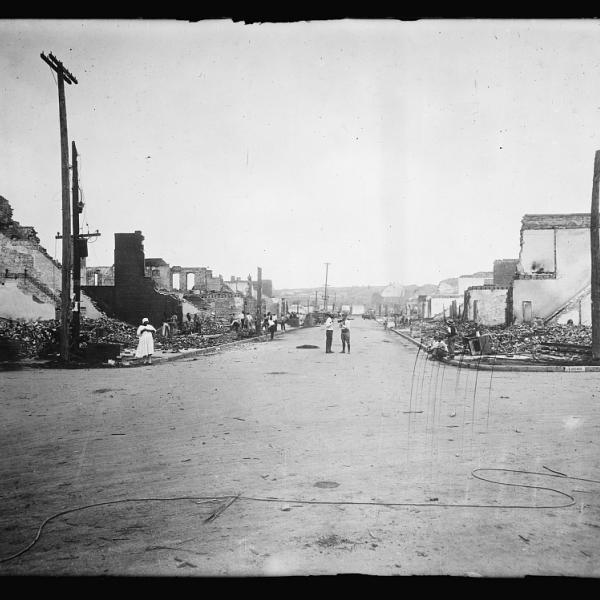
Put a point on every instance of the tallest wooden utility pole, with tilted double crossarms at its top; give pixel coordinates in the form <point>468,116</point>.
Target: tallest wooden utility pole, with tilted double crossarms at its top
<point>65,295</point>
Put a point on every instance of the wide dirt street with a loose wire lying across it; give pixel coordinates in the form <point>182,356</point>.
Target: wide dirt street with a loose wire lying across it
<point>350,463</point>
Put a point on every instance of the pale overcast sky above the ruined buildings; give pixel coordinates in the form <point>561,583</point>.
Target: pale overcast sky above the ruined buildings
<point>397,151</point>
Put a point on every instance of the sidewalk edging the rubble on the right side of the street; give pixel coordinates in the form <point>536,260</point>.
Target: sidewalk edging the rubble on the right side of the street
<point>502,362</point>
